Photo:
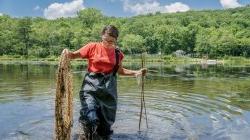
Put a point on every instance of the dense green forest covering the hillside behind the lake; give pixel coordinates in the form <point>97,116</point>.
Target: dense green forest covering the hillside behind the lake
<point>215,33</point>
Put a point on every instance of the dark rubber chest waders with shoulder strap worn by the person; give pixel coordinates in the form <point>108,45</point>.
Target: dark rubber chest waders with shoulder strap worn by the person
<point>98,96</point>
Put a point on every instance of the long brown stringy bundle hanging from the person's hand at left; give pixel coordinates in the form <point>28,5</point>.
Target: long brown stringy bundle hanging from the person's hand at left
<point>63,100</point>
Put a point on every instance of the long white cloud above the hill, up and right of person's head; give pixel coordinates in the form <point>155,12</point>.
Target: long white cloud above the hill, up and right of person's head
<point>152,6</point>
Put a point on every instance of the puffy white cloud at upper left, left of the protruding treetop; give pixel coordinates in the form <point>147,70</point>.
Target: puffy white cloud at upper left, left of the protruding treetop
<point>68,9</point>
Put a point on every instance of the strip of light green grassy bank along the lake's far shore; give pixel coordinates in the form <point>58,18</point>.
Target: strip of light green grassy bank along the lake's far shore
<point>168,59</point>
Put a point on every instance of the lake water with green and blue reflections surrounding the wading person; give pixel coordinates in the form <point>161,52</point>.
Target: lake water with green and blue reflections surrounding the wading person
<point>205,102</point>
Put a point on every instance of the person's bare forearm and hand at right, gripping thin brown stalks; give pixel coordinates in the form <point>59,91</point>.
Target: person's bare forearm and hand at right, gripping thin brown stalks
<point>127,72</point>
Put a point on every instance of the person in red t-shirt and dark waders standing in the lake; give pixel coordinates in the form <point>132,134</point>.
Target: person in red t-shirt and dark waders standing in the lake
<point>98,94</point>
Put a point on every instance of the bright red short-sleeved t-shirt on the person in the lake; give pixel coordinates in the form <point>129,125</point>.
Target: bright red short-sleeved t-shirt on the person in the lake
<point>101,59</point>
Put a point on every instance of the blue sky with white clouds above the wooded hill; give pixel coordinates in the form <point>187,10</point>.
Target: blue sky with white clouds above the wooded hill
<point>52,9</point>
